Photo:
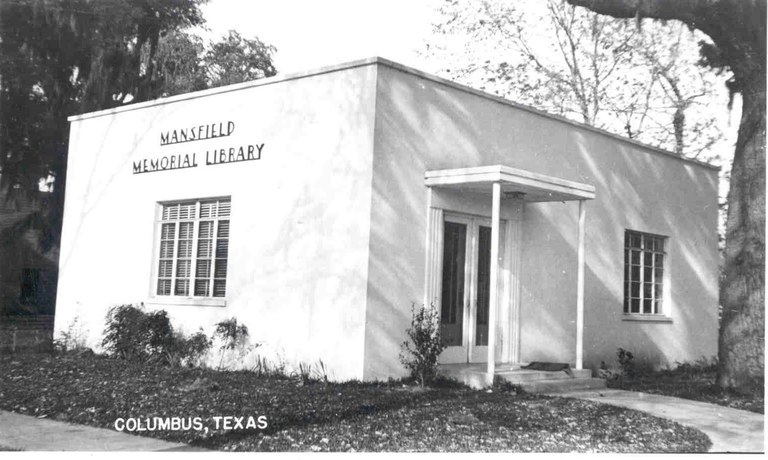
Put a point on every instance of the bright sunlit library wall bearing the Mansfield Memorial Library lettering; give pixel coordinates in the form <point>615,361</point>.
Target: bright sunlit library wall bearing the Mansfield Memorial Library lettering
<point>297,269</point>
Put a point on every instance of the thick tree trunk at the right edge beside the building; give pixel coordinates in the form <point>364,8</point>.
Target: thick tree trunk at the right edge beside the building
<point>742,326</point>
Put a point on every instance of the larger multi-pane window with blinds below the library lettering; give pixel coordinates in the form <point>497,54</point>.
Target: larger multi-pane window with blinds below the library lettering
<point>194,244</point>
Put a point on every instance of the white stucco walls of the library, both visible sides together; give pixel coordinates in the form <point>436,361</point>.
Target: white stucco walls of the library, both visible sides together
<point>328,228</point>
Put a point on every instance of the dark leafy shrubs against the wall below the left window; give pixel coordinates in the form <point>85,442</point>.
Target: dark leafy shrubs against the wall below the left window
<point>135,335</point>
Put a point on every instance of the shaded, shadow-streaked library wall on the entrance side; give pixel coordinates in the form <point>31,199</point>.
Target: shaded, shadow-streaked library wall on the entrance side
<point>424,125</point>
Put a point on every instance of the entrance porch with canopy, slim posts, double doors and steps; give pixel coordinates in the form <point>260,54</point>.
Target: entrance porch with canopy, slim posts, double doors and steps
<point>473,266</point>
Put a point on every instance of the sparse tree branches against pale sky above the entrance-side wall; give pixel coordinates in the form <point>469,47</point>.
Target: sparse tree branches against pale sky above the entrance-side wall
<point>641,82</point>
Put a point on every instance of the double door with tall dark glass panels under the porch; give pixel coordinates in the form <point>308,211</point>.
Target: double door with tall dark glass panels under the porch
<point>465,296</point>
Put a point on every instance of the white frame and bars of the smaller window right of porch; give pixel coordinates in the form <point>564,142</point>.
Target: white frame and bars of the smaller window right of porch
<point>659,300</point>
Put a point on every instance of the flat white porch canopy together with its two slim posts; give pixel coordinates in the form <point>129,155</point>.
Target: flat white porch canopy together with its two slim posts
<point>527,186</point>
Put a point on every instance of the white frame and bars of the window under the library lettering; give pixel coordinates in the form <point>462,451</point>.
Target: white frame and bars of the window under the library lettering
<point>190,298</point>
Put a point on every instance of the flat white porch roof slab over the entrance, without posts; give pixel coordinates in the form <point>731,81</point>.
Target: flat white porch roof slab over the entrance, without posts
<point>518,183</point>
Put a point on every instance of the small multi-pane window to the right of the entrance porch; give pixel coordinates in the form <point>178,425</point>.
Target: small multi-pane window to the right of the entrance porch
<point>643,273</point>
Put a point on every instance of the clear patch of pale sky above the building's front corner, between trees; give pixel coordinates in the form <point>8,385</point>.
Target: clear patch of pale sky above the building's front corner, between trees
<point>311,33</point>
